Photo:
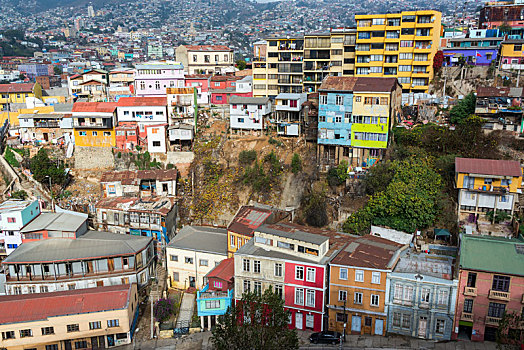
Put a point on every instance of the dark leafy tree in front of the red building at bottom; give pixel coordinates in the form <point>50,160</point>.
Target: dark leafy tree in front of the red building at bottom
<point>257,322</point>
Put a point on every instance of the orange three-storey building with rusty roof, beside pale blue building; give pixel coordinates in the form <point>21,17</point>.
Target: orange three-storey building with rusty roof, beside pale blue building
<point>358,285</point>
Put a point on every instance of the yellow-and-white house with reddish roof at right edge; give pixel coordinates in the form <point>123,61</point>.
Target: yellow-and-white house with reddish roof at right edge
<point>486,185</point>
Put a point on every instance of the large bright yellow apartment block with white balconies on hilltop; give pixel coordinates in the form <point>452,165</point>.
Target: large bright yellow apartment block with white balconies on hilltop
<point>400,45</point>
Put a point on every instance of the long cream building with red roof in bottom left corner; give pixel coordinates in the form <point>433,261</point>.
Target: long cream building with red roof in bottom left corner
<point>95,318</point>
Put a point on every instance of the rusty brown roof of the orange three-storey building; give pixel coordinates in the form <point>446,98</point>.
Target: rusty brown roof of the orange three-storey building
<point>367,251</point>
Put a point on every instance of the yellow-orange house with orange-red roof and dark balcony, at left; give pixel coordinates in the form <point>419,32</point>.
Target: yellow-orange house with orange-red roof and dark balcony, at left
<point>94,124</point>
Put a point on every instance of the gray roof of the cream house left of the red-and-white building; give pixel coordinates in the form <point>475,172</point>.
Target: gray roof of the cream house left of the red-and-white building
<point>202,239</point>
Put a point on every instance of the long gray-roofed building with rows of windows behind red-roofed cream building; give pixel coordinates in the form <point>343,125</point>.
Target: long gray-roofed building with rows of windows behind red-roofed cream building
<point>92,260</point>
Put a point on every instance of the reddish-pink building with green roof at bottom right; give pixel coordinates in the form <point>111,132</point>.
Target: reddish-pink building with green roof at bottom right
<point>491,283</point>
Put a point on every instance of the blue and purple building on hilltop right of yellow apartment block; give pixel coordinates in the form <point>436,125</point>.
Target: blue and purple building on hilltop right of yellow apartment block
<point>476,51</point>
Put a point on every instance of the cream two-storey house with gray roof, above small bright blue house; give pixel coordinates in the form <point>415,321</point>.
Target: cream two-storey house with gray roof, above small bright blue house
<point>193,253</point>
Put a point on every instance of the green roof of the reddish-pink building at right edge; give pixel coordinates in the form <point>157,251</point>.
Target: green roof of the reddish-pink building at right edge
<point>492,254</point>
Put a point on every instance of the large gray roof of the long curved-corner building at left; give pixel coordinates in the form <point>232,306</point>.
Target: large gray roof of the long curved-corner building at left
<point>93,244</point>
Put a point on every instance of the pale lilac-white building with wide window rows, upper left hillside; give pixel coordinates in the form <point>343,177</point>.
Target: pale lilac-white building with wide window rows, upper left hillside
<point>152,79</point>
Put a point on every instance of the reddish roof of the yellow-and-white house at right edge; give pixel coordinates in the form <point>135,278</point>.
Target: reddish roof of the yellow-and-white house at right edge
<point>488,167</point>
